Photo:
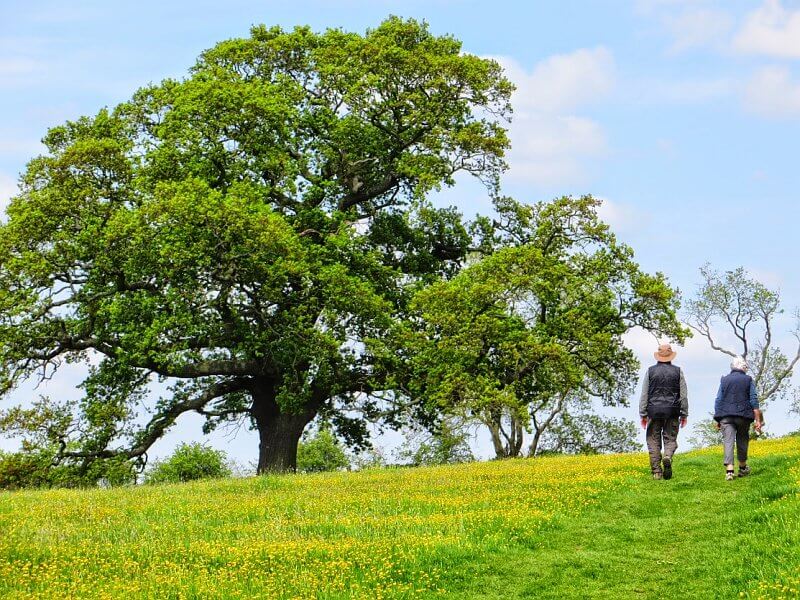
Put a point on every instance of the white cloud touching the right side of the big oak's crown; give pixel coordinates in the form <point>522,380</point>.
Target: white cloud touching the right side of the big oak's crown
<point>549,143</point>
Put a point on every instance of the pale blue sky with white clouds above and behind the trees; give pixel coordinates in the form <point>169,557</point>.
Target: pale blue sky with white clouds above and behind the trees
<point>683,115</point>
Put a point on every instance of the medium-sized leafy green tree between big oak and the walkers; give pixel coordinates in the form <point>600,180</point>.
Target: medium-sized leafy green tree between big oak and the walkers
<point>538,321</point>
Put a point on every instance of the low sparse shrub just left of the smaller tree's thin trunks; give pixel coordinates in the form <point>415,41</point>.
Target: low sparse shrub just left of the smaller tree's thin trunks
<point>447,445</point>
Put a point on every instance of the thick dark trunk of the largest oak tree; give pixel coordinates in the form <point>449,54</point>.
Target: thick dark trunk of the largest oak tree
<point>279,433</point>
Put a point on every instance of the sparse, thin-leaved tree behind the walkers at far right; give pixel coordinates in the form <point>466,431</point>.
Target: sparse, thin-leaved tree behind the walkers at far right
<point>744,309</point>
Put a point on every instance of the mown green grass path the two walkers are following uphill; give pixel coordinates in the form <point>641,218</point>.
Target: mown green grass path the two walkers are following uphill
<point>696,536</point>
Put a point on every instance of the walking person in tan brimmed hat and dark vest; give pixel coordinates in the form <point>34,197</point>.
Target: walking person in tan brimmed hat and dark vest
<point>663,408</point>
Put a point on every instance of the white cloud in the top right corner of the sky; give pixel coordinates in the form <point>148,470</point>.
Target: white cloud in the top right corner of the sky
<point>771,30</point>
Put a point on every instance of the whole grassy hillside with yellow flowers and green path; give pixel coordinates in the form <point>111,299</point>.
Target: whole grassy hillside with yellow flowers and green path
<point>565,527</point>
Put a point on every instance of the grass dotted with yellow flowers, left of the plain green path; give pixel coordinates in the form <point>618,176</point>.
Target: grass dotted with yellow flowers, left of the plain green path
<point>378,534</point>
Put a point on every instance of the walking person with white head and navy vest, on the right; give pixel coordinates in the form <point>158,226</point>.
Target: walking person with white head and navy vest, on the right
<point>735,408</point>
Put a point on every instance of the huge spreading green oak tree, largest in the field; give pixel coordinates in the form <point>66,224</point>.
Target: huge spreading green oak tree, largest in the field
<point>244,235</point>
